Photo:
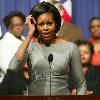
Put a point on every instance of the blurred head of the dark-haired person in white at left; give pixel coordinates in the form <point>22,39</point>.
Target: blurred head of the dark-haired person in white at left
<point>14,22</point>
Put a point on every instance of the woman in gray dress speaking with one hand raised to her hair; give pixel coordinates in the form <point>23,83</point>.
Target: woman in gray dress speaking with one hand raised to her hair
<point>48,79</point>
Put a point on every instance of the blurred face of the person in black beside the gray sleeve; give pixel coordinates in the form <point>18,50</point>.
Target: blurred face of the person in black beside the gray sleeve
<point>85,53</point>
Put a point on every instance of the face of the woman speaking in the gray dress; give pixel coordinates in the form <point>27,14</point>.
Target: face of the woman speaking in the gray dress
<point>46,26</point>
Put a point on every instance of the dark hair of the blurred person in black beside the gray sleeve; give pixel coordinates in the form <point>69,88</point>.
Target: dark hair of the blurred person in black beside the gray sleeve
<point>85,42</point>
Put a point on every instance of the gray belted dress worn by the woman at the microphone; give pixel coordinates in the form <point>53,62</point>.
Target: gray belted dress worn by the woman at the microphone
<point>66,60</point>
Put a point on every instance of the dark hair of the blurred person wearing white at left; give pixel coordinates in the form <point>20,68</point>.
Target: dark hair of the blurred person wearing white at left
<point>7,18</point>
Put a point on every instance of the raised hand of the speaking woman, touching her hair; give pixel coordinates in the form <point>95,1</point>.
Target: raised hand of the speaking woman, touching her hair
<point>30,26</point>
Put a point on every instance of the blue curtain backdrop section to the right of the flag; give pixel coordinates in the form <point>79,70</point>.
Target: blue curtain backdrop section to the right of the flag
<point>82,12</point>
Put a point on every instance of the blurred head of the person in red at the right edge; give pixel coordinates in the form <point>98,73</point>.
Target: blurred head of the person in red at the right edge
<point>94,27</point>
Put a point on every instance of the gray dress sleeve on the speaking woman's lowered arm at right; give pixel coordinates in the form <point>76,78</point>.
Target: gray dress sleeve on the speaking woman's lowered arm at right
<point>77,75</point>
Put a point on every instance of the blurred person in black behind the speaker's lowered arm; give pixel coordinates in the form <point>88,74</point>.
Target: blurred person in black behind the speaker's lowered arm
<point>86,51</point>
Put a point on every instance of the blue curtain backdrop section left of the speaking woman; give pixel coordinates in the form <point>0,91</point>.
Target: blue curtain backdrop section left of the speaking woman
<point>9,5</point>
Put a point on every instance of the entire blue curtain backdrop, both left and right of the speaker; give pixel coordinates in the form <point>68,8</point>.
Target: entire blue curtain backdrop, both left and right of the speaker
<point>82,11</point>
